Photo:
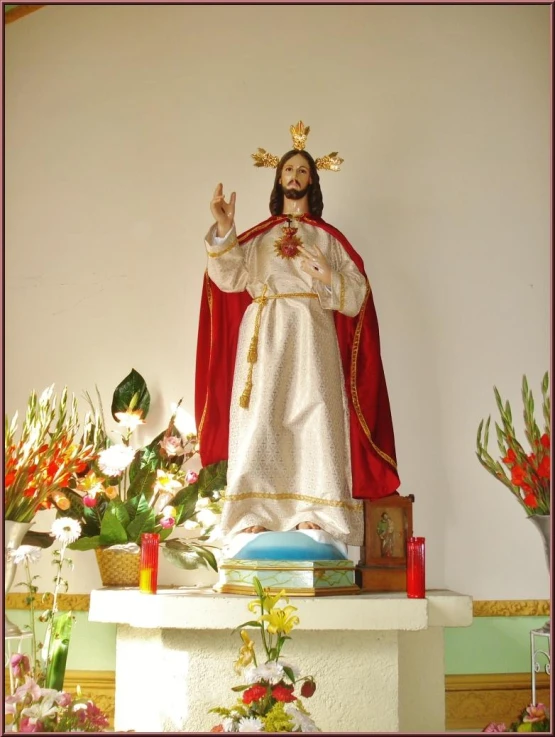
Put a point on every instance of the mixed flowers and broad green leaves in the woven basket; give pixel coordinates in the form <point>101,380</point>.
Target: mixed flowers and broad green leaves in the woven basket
<point>124,492</point>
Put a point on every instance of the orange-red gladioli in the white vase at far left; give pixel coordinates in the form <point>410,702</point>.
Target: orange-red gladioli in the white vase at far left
<point>46,457</point>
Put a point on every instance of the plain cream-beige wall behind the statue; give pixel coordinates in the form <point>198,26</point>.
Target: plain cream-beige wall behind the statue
<point>120,121</point>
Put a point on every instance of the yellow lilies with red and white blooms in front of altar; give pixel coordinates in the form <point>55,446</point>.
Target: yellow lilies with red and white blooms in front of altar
<point>268,702</point>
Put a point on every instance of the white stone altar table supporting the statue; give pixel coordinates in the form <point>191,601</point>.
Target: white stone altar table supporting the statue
<point>378,659</point>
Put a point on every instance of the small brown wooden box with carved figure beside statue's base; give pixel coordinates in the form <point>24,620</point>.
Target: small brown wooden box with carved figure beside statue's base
<point>383,557</point>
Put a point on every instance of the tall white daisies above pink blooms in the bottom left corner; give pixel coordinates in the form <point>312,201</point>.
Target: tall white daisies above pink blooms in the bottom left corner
<point>38,703</point>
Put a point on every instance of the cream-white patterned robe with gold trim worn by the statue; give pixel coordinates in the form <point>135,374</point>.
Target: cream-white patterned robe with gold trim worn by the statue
<point>289,451</point>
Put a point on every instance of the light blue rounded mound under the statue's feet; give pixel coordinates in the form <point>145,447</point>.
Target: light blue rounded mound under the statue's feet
<point>287,546</point>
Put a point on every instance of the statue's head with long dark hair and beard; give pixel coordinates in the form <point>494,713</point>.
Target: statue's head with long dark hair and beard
<point>297,176</point>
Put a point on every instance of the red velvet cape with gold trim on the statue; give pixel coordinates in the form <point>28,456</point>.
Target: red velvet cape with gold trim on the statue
<point>373,459</point>
